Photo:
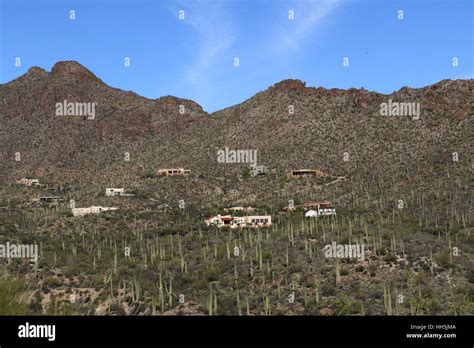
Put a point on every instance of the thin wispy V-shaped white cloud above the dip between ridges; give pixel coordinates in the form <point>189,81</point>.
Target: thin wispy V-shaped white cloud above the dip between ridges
<point>215,30</point>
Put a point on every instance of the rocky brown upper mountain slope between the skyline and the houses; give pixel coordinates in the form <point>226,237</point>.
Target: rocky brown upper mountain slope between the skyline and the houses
<point>323,128</point>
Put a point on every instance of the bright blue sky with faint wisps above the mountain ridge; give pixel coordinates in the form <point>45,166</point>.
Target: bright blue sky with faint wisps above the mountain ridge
<point>194,58</point>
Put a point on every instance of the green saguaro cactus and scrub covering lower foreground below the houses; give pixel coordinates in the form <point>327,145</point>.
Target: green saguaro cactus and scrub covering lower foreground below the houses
<point>145,260</point>
